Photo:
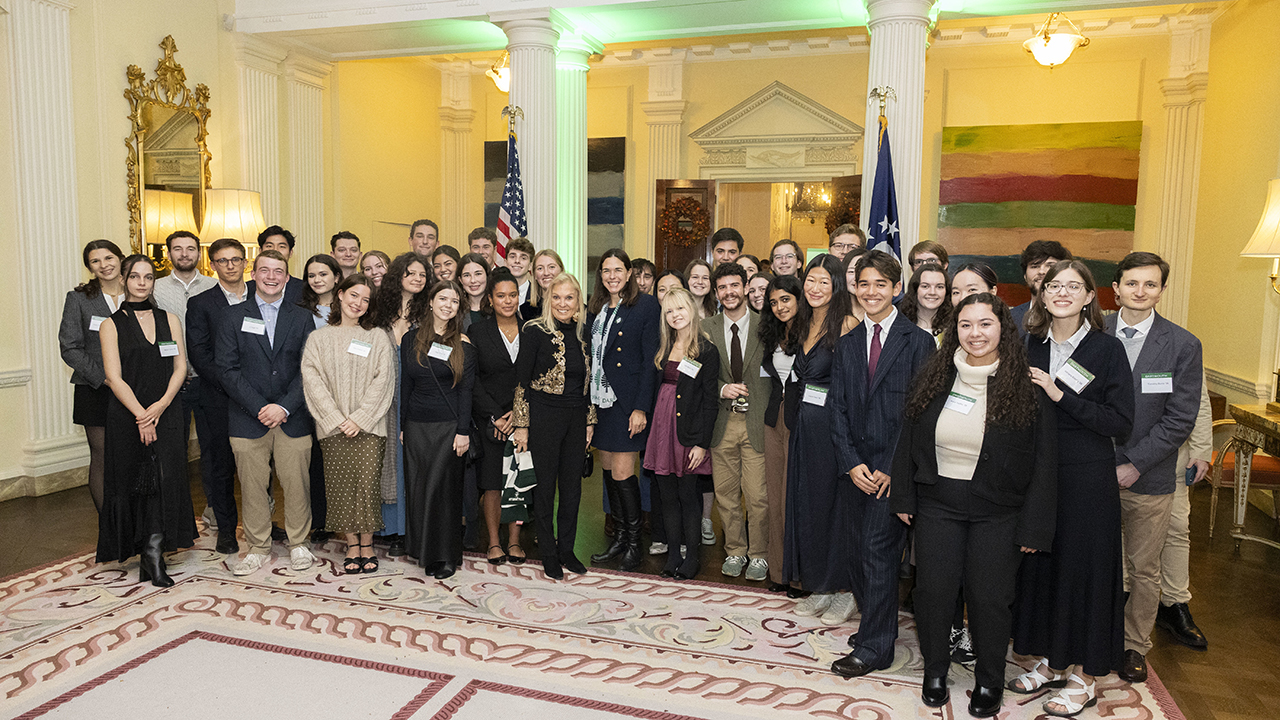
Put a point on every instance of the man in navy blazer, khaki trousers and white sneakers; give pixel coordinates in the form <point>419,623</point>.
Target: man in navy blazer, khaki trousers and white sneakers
<point>259,356</point>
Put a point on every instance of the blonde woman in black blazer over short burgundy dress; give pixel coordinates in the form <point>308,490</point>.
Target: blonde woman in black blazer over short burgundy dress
<point>687,371</point>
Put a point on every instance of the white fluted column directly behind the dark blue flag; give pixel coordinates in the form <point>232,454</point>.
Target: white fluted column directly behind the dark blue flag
<point>899,31</point>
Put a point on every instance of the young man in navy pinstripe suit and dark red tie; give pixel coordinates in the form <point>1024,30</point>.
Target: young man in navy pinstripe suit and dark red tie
<point>872,373</point>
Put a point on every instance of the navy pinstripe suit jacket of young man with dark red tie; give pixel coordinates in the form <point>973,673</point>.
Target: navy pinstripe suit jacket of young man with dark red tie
<point>867,417</point>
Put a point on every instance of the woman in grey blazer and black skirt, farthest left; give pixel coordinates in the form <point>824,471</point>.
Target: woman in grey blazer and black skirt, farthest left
<point>85,309</point>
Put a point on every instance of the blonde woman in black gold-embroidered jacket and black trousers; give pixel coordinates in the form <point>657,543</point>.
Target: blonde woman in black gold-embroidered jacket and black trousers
<point>555,420</point>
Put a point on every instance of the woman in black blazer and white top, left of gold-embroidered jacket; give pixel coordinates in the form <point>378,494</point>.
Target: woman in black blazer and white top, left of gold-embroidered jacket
<point>497,343</point>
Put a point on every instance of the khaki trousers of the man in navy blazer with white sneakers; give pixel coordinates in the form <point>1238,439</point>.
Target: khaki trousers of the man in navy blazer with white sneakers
<point>294,468</point>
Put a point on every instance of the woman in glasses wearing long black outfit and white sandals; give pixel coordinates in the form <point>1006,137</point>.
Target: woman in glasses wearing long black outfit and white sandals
<point>1071,603</point>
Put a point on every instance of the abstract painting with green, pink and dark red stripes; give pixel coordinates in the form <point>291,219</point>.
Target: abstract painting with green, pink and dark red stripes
<point>1004,186</point>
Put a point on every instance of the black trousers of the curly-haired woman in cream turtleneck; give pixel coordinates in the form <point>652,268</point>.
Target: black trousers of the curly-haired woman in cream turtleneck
<point>963,539</point>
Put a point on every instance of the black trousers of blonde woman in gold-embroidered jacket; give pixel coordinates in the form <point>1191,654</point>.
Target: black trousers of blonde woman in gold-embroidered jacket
<point>557,441</point>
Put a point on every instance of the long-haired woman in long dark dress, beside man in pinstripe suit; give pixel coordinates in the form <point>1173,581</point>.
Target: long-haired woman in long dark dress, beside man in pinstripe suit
<point>820,496</point>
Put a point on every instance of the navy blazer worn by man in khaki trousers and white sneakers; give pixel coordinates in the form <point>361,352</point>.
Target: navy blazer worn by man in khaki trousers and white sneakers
<point>257,373</point>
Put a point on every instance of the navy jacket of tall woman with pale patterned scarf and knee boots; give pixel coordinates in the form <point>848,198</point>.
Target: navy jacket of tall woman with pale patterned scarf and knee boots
<point>629,353</point>
